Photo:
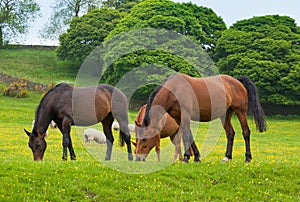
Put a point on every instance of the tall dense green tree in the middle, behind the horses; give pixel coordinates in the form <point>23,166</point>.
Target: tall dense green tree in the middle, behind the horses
<point>198,24</point>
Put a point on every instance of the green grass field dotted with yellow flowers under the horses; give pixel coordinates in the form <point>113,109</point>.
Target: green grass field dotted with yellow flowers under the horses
<point>273,175</point>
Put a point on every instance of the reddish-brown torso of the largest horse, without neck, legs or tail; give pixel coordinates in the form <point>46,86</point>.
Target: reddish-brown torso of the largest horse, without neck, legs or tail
<point>210,97</point>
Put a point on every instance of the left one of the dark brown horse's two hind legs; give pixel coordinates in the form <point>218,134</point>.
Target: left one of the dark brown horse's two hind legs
<point>107,123</point>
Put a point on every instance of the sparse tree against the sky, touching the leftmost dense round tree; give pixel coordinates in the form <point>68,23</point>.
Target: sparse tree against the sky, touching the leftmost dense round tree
<point>63,11</point>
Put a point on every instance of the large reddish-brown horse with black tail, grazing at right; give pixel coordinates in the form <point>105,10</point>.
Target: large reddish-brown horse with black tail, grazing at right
<point>204,99</point>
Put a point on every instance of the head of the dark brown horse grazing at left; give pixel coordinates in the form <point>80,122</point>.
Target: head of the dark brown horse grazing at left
<point>37,144</point>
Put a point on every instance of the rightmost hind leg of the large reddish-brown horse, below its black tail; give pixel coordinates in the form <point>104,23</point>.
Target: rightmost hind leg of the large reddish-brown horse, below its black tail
<point>242,116</point>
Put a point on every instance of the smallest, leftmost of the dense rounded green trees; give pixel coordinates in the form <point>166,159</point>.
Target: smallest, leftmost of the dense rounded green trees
<point>86,33</point>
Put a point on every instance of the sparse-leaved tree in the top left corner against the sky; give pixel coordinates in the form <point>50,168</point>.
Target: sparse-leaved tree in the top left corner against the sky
<point>15,16</point>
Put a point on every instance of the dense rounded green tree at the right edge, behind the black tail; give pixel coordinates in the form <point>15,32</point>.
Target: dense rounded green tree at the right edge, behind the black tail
<point>267,49</point>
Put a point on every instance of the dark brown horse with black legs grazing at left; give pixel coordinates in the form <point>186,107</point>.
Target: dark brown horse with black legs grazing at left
<point>82,106</point>
